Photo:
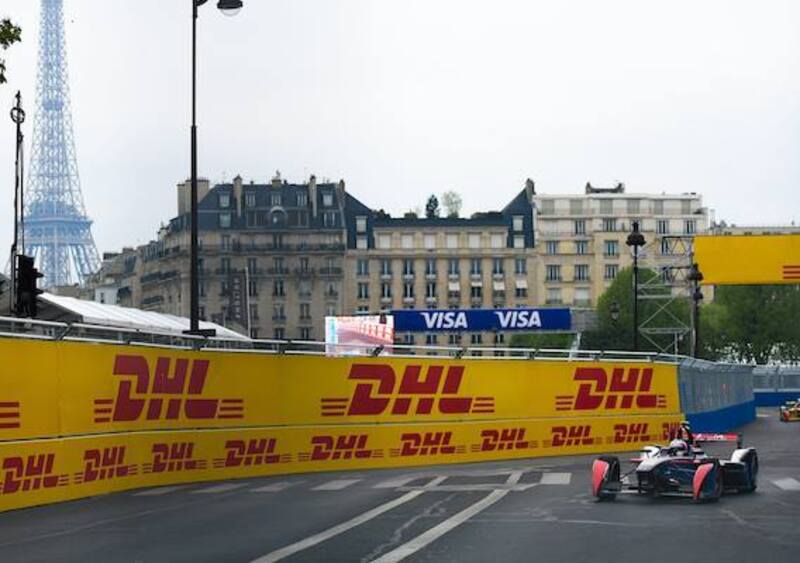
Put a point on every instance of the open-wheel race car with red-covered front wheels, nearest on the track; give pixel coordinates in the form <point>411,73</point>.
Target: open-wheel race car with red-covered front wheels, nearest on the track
<point>679,469</point>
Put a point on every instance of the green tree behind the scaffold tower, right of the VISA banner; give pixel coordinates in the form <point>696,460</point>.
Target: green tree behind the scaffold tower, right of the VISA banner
<point>617,334</point>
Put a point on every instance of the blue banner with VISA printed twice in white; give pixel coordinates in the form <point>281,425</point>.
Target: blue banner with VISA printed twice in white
<point>474,320</point>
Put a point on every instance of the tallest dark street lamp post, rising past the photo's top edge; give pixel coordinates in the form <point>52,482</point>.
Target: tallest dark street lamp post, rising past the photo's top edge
<point>227,7</point>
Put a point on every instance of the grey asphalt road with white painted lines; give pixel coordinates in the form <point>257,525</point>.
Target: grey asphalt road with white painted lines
<point>534,510</point>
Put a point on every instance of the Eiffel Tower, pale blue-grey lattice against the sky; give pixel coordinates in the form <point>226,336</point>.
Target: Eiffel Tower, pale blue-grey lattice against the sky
<point>57,231</point>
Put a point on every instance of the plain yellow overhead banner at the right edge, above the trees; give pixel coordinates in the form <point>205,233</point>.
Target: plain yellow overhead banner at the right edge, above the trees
<point>748,259</point>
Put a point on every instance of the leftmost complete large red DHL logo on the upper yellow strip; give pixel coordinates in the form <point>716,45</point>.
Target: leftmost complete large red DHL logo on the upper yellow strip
<point>167,395</point>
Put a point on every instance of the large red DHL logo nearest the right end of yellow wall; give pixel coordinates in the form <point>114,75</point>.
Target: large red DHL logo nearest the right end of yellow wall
<point>627,387</point>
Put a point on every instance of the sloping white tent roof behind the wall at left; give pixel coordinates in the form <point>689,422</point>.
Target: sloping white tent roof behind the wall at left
<point>91,312</point>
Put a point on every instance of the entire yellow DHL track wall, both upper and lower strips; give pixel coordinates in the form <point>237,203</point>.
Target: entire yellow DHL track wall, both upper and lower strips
<point>79,419</point>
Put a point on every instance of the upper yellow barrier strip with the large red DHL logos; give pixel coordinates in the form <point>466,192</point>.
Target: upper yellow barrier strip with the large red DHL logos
<point>50,389</point>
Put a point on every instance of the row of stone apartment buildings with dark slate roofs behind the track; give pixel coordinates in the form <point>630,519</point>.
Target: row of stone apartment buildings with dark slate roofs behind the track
<point>277,258</point>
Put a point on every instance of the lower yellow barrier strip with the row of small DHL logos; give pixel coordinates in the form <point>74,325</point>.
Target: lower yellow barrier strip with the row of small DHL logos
<point>36,472</point>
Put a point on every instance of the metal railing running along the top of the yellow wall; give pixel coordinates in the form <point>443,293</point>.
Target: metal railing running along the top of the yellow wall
<point>11,327</point>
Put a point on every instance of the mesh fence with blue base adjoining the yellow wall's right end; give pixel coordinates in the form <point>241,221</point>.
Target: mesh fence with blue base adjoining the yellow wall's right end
<point>716,397</point>
